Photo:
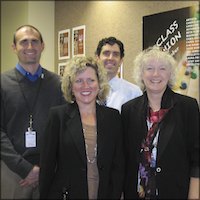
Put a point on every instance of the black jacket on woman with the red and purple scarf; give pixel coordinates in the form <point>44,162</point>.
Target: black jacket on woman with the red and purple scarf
<point>178,144</point>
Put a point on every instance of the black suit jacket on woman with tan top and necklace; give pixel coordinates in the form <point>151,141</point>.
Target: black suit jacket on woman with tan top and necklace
<point>63,157</point>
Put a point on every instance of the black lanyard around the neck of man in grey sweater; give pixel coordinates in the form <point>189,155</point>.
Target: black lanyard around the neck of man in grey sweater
<point>29,107</point>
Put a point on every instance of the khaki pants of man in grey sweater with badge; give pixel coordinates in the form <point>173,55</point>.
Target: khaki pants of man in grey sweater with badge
<point>10,188</point>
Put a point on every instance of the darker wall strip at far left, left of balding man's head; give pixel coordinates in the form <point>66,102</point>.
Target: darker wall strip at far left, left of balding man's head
<point>10,20</point>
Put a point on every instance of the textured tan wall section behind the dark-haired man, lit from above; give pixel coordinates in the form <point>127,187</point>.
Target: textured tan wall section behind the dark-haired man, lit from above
<point>122,19</point>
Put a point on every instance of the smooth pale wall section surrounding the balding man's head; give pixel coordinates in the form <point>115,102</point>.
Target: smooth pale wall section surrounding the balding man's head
<point>17,13</point>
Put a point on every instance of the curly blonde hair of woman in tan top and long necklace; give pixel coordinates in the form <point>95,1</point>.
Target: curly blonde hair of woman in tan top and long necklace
<point>77,65</point>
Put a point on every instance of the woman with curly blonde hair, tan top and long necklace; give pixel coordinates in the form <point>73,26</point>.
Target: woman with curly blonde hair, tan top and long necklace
<point>83,155</point>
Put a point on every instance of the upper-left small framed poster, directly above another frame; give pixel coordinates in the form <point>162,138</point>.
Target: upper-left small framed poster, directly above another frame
<point>64,44</point>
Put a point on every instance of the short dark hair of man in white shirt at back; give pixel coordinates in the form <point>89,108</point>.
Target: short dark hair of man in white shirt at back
<point>110,41</point>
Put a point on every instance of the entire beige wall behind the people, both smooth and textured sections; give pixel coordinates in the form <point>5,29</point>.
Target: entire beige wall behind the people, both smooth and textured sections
<point>122,19</point>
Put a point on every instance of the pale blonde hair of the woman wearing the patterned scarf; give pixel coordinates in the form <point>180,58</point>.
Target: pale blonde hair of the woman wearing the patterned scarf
<point>143,58</point>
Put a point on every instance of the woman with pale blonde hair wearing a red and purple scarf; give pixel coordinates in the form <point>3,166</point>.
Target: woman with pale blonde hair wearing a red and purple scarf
<point>161,131</point>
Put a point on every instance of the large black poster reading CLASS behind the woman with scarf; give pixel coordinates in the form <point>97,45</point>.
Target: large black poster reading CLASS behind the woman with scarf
<point>177,31</point>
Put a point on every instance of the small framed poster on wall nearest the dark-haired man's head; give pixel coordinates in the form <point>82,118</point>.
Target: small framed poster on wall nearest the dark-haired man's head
<point>78,41</point>
